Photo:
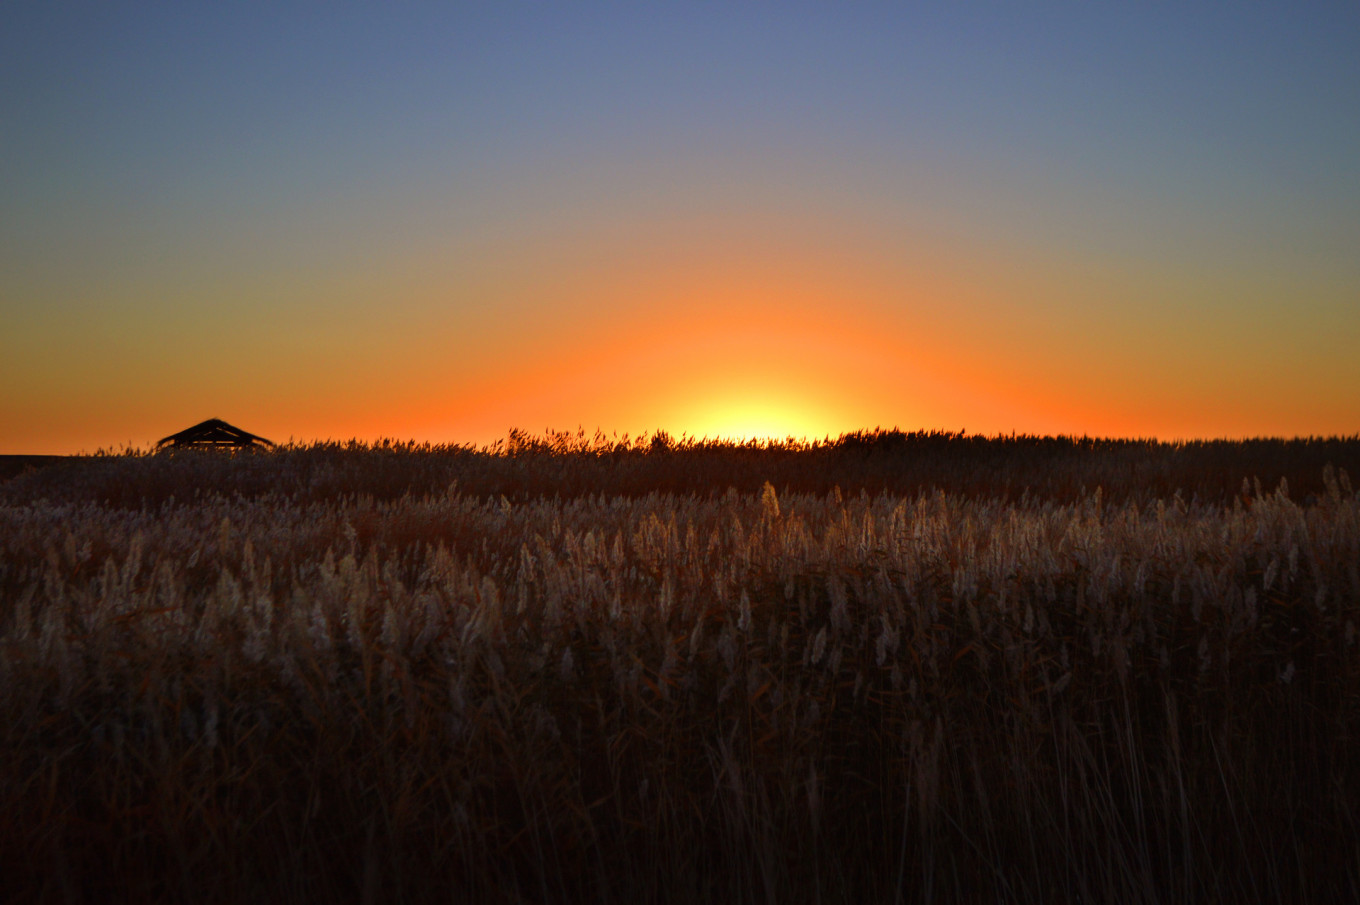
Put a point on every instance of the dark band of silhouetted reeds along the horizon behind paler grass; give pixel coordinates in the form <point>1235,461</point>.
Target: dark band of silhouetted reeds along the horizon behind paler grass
<point>577,465</point>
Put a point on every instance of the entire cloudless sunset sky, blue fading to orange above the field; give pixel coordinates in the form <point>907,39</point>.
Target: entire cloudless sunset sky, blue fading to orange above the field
<point>441,223</point>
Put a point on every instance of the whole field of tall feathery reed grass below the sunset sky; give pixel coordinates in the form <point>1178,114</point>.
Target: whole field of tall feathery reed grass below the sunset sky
<point>885,669</point>
